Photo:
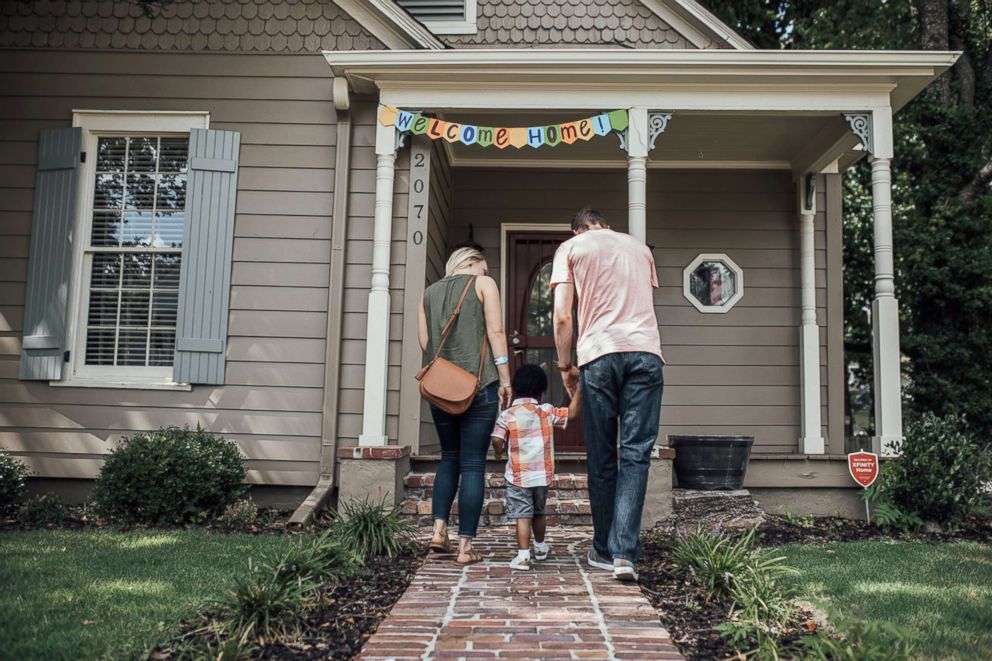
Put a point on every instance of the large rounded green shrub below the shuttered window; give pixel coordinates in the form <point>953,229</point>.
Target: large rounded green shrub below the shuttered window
<point>171,476</point>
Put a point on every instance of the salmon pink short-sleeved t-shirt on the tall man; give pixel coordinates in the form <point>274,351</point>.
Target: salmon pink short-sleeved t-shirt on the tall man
<point>614,277</point>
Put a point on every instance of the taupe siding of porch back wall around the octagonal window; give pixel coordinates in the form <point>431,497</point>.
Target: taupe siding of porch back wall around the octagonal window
<point>734,373</point>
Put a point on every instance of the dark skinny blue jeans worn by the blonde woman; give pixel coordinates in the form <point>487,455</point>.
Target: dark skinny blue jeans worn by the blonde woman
<point>464,445</point>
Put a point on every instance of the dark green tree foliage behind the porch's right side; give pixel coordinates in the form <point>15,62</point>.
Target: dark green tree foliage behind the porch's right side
<point>942,203</point>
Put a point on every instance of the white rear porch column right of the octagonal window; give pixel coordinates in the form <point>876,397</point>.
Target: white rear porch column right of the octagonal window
<point>811,441</point>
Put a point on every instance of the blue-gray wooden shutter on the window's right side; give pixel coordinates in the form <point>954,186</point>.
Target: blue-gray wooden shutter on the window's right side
<point>205,276</point>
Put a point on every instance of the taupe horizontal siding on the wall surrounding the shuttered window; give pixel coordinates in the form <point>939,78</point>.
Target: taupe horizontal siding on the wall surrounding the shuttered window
<point>271,401</point>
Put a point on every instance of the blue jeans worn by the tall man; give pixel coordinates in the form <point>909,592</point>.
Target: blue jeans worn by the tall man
<point>624,387</point>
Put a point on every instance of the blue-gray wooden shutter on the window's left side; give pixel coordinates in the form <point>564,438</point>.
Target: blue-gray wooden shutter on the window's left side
<point>50,254</point>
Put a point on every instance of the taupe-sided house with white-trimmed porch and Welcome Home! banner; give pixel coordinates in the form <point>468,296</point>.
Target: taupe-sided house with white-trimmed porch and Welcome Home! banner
<point>211,216</point>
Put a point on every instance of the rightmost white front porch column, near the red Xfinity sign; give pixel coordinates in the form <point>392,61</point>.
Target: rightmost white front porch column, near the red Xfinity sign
<point>885,307</point>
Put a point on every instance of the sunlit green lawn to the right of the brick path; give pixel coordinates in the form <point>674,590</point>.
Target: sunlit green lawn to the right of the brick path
<point>941,593</point>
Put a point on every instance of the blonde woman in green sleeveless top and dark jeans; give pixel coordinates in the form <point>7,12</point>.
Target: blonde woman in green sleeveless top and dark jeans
<point>465,437</point>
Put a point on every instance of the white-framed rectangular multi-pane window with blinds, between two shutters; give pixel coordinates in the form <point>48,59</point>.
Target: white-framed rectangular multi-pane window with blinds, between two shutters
<point>131,225</point>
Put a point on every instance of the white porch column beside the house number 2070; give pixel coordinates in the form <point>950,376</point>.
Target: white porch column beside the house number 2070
<point>377,333</point>
